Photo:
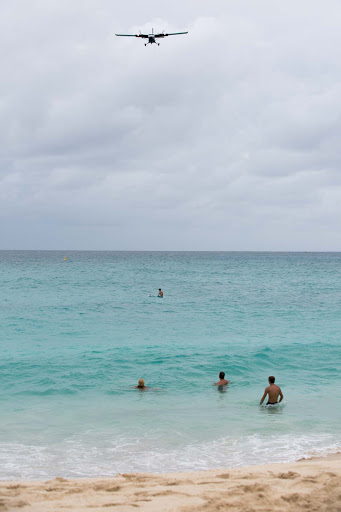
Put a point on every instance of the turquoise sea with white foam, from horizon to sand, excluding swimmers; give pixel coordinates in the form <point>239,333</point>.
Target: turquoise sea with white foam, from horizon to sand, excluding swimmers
<point>77,334</point>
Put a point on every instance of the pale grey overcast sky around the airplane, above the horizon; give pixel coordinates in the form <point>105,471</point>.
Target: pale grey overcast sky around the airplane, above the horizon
<point>228,138</point>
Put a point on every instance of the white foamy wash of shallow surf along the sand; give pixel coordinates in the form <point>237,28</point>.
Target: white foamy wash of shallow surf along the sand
<point>76,458</point>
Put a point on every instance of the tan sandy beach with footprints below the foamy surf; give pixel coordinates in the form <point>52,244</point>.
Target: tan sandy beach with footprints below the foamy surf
<point>309,485</point>
